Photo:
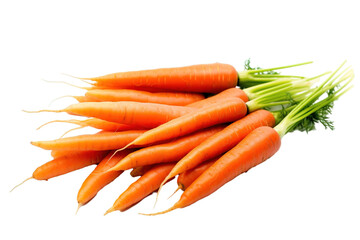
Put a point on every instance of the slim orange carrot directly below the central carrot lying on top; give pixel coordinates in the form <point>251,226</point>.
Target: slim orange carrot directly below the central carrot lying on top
<point>165,152</point>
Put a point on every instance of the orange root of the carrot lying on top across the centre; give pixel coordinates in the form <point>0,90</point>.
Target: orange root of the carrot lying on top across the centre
<point>227,110</point>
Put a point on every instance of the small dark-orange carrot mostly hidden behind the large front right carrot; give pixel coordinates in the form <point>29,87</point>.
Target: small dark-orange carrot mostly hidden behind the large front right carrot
<point>185,179</point>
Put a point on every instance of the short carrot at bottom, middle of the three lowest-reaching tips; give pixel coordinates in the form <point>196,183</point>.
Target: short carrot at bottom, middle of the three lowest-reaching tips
<point>144,186</point>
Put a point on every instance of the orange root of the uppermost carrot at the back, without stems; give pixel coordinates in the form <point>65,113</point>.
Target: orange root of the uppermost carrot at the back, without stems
<point>195,78</point>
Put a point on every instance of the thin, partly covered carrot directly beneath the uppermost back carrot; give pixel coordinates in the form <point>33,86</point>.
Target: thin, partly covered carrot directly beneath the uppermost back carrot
<point>169,98</point>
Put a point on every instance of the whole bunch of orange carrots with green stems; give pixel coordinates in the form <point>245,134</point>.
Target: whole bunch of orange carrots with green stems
<point>202,124</point>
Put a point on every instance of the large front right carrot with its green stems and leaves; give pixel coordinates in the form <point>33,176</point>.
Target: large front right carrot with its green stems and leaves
<point>263,142</point>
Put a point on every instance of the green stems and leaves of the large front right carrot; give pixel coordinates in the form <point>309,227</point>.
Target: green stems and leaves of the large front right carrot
<point>310,111</point>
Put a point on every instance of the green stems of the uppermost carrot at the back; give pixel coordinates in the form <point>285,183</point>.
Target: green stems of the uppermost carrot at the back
<point>254,76</point>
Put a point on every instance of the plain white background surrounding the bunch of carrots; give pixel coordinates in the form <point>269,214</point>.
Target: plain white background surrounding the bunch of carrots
<point>308,190</point>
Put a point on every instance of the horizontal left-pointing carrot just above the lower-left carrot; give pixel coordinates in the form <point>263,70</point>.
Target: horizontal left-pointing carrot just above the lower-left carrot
<point>93,142</point>
